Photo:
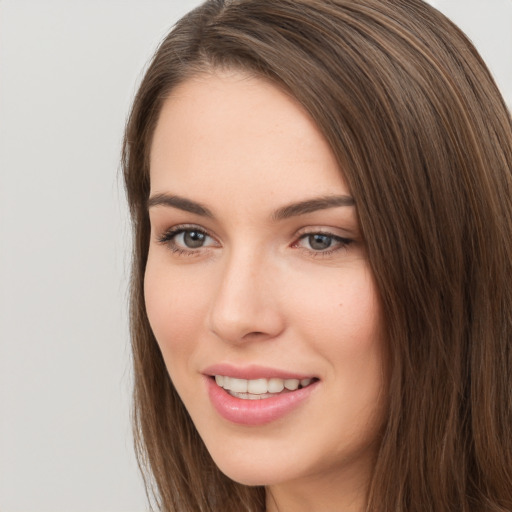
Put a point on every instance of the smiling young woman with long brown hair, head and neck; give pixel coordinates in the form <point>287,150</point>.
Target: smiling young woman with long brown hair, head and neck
<point>321,309</point>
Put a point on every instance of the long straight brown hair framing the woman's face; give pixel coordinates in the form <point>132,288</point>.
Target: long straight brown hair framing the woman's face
<point>425,143</point>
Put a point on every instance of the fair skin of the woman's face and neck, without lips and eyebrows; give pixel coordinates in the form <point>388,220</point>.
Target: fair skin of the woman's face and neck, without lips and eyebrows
<point>259,291</point>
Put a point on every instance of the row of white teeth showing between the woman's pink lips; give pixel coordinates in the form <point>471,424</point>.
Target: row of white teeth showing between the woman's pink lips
<point>249,388</point>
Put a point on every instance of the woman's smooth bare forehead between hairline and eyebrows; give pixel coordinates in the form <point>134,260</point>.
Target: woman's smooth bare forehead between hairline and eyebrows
<point>232,133</point>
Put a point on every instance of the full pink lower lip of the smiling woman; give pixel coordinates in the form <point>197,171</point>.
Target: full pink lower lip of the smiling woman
<point>256,412</point>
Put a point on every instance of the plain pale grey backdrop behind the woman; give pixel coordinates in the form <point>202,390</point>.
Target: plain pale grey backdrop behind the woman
<point>68,71</point>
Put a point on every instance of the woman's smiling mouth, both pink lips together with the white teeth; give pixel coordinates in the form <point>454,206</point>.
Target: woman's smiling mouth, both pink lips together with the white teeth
<point>256,395</point>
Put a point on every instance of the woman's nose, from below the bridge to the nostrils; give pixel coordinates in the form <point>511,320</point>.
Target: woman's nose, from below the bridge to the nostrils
<point>246,304</point>
